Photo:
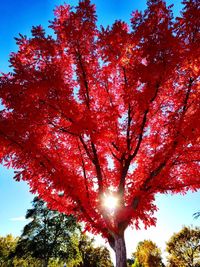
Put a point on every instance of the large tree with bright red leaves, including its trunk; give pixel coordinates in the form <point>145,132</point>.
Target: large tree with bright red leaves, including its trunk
<point>115,112</point>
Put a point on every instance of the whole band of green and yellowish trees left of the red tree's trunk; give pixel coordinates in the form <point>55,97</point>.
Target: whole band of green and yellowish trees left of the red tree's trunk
<point>51,239</point>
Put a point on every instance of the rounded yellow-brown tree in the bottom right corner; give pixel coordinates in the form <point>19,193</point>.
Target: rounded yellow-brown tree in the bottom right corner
<point>184,248</point>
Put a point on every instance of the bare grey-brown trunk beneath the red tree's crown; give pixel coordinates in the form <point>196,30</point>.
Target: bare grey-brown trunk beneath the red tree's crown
<point>120,251</point>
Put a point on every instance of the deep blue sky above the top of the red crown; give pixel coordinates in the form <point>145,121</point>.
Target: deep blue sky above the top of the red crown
<point>18,16</point>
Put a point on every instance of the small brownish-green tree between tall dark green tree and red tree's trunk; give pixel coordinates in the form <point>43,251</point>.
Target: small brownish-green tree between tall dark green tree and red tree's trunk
<point>93,256</point>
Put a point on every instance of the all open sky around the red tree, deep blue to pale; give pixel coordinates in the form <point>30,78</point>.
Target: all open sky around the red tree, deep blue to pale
<point>17,16</point>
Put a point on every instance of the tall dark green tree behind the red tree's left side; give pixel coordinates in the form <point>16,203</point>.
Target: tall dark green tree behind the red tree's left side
<point>49,235</point>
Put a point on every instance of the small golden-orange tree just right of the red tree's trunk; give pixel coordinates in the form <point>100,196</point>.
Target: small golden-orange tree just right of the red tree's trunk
<point>148,254</point>
